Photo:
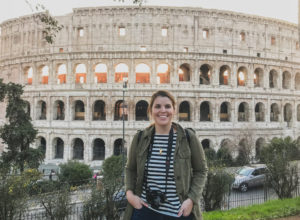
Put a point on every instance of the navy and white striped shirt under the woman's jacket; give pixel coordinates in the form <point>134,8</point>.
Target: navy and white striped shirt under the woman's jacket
<point>156,178</point>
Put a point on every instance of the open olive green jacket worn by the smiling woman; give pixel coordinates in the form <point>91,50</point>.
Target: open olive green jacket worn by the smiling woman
<point>190,168</point>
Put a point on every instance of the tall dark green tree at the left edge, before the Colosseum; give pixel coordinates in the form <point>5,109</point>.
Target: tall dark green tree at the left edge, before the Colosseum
<point>18,133</point>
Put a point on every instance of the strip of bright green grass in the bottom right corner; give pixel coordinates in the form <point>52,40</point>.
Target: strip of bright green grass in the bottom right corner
<point>269,210</point>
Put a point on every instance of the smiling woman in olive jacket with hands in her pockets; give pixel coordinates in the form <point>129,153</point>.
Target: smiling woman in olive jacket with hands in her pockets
<point>166,169</point>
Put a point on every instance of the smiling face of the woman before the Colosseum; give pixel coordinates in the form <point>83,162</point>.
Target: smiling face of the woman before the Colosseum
<point>162,111</point>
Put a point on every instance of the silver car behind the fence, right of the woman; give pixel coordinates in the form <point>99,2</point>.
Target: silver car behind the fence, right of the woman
<point>249,176</point>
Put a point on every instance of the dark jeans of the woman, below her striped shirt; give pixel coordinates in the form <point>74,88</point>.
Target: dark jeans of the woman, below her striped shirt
<point>147,214</point>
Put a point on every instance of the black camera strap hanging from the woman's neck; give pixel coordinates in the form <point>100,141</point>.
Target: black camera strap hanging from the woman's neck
<point>168,156</point>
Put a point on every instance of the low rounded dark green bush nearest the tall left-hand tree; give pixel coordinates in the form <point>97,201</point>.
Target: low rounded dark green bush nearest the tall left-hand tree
<point>75,173</point>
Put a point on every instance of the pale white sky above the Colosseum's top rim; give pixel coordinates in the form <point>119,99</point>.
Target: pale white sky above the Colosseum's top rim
<point>281,9</point>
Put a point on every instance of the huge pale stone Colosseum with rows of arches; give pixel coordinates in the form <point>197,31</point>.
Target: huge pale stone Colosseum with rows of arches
<point>236,77</point>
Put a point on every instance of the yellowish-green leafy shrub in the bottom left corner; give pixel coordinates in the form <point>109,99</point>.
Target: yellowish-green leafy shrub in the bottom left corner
<point>14,192</point>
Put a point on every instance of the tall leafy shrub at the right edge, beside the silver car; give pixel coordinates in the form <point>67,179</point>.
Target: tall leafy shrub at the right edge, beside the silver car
<point>282,174</point>
